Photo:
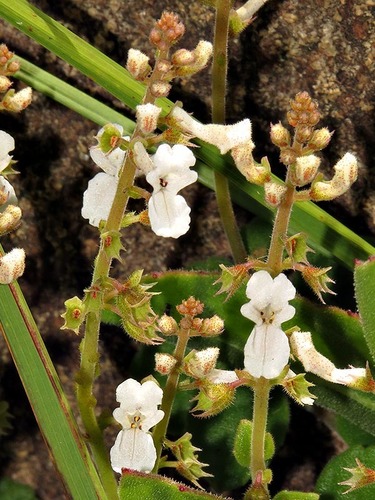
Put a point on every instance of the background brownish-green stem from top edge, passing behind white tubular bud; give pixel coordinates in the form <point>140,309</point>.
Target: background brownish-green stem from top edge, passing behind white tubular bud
<point>219,78</point>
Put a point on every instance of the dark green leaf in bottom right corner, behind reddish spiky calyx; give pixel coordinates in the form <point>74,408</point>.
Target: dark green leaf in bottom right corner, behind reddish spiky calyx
<point>334,473</point>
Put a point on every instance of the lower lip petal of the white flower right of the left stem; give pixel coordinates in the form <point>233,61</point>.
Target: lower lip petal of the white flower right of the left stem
<point>169,214</point>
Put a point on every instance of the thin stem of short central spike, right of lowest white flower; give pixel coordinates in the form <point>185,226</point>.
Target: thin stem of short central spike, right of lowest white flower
<point>169,394</point>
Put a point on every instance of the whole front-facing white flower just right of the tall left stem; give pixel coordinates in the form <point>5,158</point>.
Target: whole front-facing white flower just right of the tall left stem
<point>168,212</point>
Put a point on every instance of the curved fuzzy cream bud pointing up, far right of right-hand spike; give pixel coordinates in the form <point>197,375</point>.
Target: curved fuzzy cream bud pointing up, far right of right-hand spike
<point>346,171</point>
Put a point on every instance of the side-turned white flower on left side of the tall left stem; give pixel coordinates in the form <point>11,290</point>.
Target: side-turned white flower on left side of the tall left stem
<point>101,190</point>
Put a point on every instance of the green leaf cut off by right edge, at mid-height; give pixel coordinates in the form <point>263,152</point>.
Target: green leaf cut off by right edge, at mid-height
<point>364,281</point>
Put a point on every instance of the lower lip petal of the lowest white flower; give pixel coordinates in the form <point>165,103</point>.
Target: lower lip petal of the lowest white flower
<point>133,449</point>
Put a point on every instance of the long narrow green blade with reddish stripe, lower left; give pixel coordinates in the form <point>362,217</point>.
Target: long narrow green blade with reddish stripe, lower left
<point>46,396</point>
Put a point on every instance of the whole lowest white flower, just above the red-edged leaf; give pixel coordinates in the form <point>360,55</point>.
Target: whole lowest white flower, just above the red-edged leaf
<point>134,447</point>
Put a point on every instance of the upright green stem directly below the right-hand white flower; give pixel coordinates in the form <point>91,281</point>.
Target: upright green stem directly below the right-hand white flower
<point>260,414</point>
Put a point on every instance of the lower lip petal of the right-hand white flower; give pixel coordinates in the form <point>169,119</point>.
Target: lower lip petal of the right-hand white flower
<point>266,351</point>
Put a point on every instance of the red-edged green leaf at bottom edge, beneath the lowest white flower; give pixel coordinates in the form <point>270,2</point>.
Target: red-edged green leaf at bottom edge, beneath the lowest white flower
<point>138,485</point>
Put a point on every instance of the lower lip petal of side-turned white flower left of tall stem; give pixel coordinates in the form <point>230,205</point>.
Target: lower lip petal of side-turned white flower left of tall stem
<point>98,198</point>
